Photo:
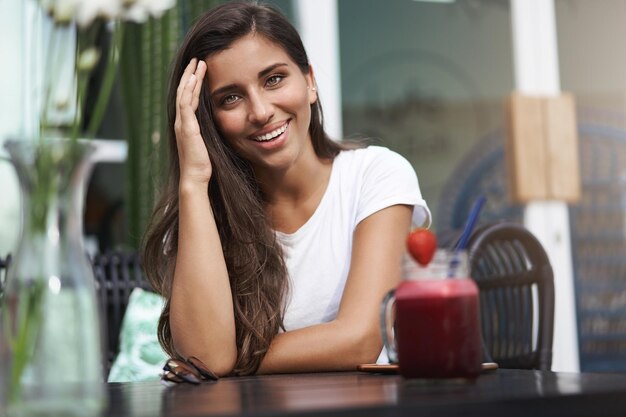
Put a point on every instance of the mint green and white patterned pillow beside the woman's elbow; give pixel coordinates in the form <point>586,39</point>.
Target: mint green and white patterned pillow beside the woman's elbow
<point>141,357</point>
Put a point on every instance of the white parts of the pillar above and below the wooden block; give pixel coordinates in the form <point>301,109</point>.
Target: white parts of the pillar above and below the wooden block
<point>537,73</point>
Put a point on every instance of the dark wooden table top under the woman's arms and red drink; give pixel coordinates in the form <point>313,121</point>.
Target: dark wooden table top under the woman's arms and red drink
<point>508,393</point>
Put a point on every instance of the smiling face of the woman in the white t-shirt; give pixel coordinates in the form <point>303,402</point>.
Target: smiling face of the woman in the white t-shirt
<point>261,102</point>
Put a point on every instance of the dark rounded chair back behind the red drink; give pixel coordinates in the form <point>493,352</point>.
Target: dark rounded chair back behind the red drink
<point>516,285</point>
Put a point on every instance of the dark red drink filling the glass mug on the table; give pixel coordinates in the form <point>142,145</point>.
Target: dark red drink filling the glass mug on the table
<point>437,328</point>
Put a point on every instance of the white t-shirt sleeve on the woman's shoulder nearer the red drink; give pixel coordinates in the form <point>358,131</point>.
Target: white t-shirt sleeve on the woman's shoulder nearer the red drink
<point>389,179</point>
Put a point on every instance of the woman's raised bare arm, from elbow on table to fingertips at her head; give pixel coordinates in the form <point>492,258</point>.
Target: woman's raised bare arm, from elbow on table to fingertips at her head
<point>201,310</point>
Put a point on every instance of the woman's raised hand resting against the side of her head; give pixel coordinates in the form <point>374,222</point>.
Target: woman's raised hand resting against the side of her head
<point>195,164</point>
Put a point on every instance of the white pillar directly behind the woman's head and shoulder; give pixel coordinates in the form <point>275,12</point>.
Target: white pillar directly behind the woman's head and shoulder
<point>317,23</point>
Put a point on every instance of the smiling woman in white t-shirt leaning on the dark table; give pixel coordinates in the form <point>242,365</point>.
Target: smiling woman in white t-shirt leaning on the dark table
<point>272,244</point>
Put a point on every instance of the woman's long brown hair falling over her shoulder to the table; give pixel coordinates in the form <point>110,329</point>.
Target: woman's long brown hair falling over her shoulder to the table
<point>257,273</point>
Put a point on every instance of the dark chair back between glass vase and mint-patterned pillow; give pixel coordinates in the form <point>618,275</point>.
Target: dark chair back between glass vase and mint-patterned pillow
<point>116,274</point>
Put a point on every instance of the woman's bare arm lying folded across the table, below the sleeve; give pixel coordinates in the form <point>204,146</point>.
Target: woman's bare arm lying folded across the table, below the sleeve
<point>354,336</point>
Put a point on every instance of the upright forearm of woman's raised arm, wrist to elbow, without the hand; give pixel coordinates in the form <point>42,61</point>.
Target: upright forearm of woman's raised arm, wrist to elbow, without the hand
<point>201,311</point>
